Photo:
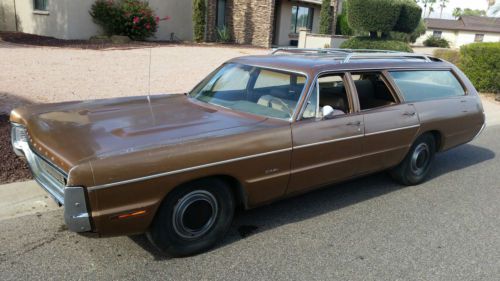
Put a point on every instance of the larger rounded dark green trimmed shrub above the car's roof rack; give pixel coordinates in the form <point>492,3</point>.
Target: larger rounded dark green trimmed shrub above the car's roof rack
<point>373,15</point>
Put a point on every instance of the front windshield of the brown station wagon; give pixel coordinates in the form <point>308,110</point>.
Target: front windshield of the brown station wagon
<point>252,89</point>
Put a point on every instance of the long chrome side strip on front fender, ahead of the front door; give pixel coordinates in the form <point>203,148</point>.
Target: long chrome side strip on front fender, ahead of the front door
<point>186,169</point>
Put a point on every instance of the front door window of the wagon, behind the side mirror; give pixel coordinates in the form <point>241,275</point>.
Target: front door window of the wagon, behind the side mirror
<point>329,91</point>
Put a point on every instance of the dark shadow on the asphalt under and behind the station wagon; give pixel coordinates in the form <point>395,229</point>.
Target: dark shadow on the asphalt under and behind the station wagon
<point>331,198</point>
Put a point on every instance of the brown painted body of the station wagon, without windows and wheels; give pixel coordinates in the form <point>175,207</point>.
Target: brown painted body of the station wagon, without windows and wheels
<point>131,152</point>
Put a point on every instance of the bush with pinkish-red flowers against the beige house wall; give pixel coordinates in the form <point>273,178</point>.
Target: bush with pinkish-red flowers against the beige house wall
<point>132,18</point>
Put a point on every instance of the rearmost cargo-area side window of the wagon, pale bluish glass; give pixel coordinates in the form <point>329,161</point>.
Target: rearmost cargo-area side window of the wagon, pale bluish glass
<point>425,85</point>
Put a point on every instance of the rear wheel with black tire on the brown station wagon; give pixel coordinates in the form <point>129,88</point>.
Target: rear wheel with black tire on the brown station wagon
<point>416,164</point>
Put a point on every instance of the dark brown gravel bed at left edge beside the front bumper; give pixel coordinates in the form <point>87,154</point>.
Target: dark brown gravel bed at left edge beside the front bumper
<point>12,168</point>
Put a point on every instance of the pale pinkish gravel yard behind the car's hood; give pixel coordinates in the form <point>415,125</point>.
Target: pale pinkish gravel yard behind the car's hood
<point>49,74</point>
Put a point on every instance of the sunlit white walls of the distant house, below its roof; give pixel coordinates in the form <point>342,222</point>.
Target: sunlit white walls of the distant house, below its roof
<point>460,38</point>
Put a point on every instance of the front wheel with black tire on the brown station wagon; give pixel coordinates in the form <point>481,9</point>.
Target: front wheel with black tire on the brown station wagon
<point>193,218</point>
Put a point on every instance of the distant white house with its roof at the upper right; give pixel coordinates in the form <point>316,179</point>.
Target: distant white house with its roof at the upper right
<point>465,30</point>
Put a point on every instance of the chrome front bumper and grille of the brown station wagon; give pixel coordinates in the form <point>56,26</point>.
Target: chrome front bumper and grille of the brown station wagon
<point>53,180</point>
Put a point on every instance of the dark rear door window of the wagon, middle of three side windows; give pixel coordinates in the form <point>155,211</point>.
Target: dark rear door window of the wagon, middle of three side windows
<point>372,90</point>
